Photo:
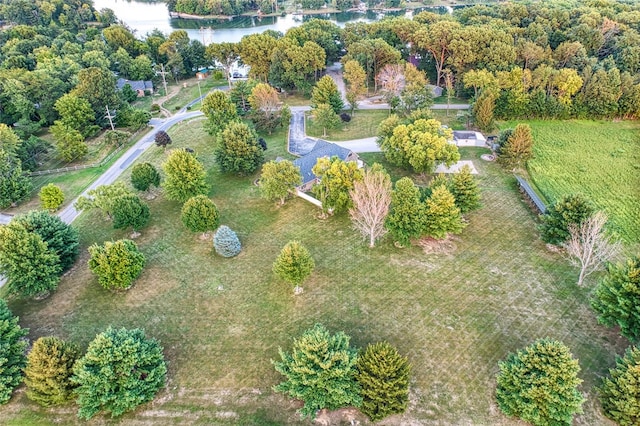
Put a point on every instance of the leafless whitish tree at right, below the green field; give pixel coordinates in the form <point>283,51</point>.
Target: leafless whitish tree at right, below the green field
<point>588,247</point>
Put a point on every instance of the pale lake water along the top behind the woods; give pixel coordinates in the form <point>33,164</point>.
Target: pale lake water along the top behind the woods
<point>144,17</point>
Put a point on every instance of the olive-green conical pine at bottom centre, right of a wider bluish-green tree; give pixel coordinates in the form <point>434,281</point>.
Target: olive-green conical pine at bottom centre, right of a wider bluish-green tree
<point>383,375</point>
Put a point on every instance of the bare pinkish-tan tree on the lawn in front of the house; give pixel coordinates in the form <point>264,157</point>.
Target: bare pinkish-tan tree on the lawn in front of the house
<point>371,198</point>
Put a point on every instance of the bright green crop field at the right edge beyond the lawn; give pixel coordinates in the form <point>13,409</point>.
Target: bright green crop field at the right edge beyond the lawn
<point>600,159</point>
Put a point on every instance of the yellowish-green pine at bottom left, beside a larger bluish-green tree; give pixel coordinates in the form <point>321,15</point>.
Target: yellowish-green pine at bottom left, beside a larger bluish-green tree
<point>49,370</point>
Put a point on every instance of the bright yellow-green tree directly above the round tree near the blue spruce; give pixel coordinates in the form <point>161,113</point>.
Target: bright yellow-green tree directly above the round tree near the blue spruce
<point>185,176</point>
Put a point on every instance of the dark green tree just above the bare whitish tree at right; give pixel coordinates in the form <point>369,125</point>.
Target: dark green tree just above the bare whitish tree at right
<point>571,209</point>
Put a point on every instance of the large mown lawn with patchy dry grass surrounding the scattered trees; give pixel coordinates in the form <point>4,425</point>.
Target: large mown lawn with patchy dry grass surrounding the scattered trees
<point>455,314</point>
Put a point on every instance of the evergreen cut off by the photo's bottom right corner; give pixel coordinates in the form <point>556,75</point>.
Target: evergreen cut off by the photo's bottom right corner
<point>620,393</point>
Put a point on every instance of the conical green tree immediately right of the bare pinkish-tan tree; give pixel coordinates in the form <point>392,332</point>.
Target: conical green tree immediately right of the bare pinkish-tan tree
<point>406,219</point>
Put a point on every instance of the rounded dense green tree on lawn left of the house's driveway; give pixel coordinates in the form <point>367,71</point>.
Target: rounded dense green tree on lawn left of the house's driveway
<point>238,149</point>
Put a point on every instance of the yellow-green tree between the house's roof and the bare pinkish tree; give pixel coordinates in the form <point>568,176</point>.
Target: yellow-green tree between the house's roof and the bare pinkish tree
<point>336,179</point>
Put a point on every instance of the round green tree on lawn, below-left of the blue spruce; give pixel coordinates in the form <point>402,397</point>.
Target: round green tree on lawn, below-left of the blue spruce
<point>117,264</point>
